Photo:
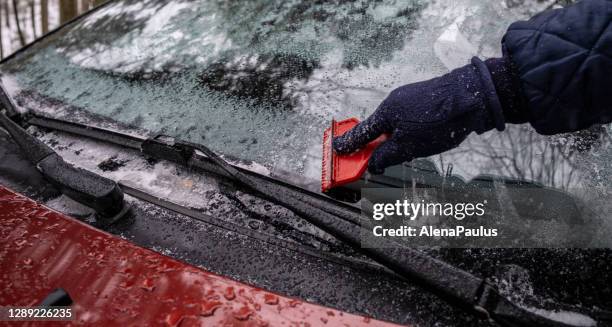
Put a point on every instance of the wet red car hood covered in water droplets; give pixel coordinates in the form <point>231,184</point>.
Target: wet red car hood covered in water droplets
<point>116,283</point>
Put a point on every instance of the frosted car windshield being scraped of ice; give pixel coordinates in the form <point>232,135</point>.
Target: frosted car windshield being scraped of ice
<point>261,80</point>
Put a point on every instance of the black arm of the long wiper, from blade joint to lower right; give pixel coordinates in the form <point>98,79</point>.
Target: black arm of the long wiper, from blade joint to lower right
<point>459,287</point>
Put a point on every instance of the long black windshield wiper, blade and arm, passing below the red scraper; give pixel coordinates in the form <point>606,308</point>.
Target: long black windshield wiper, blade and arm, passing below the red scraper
<point>476,295</point>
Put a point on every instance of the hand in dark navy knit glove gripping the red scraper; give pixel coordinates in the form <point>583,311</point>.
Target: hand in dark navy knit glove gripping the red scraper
<point>429,117</point>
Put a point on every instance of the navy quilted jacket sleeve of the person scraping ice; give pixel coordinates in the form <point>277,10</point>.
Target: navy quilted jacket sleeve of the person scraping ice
<point>556,72</point>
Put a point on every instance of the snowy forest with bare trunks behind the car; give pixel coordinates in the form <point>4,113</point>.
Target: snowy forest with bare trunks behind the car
<point>22,21</point>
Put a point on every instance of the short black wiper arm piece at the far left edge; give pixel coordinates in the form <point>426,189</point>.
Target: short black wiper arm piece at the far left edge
<point>97,192</point>
